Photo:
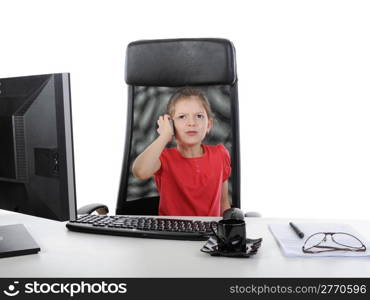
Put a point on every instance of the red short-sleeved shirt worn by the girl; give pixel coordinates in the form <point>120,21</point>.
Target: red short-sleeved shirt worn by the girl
<point>192,186</point>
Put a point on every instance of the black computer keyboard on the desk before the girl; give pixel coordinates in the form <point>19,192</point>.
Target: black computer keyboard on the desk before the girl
<point>148,227</point>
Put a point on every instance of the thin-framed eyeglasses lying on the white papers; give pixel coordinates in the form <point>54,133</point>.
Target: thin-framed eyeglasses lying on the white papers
<point>340,241</point>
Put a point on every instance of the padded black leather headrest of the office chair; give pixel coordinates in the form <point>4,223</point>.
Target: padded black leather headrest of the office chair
<point>180,62</point>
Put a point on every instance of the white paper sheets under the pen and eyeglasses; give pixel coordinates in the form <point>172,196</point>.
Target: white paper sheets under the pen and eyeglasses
<point>291,244</point>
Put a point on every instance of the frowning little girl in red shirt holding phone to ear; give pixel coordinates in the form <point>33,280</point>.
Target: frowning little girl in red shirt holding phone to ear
<point>191,178</point>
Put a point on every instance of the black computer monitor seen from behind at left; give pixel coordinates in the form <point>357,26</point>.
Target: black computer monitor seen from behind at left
<point>36,146</point>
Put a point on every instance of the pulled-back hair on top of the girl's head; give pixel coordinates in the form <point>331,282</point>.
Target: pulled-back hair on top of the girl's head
<point>187,92</point>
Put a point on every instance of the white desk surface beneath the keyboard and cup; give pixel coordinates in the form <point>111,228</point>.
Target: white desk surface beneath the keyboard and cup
<point>71,254</point>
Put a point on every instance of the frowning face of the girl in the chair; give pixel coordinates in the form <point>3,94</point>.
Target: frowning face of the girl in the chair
<point>191,121</point>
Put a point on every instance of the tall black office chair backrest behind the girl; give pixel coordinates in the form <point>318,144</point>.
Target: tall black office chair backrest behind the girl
<point>155,69</point>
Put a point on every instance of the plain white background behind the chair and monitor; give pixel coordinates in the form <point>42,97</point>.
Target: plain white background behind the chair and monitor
<point>304,87</point>
